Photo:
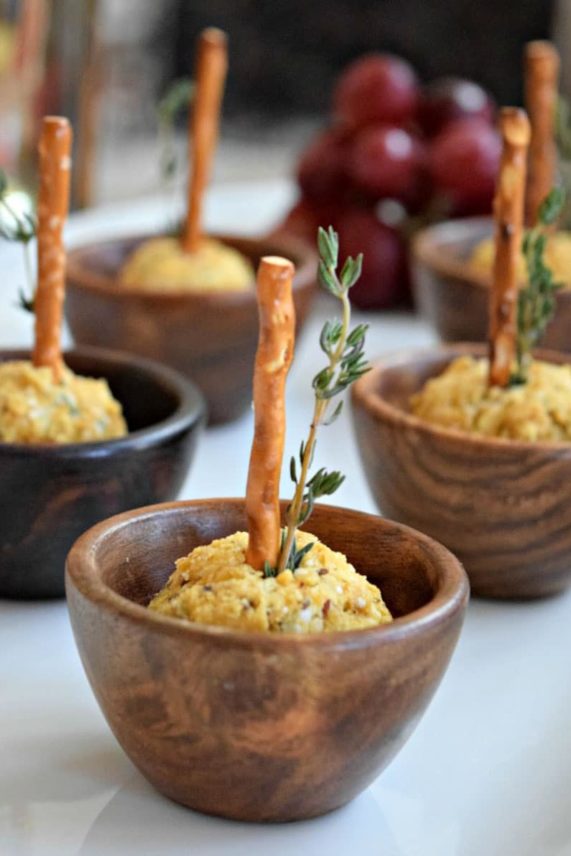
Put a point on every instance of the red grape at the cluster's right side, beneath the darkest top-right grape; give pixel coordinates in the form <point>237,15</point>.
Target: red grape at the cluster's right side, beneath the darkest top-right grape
<point>463,163</point>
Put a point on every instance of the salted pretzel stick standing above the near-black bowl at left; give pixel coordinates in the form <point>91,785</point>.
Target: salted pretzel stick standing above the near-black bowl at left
<point>53,203</point>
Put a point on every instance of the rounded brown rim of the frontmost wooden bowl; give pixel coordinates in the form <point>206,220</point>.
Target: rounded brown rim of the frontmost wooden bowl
<point>81,573</point>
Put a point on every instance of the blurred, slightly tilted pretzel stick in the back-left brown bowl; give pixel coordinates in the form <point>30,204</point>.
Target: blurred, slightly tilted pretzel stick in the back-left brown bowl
<point>210,75</point>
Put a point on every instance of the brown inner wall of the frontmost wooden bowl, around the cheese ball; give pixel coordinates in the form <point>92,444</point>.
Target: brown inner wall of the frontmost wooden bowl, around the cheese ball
<point>135,559</point>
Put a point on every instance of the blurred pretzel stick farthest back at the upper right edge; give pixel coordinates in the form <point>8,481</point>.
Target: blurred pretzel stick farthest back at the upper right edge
<point>541,61</point>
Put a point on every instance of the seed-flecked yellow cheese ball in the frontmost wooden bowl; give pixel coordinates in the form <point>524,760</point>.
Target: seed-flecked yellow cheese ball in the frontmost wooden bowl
<point>215,585</point>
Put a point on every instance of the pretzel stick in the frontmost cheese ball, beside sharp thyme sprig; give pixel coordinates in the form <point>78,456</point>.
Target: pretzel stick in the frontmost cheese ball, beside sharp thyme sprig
<point>273,359</point>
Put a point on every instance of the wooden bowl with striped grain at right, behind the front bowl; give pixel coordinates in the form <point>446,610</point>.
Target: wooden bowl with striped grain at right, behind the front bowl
<point>502,506</point>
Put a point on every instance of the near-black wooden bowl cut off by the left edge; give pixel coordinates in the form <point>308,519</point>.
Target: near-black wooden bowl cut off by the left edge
<point>52,493</point>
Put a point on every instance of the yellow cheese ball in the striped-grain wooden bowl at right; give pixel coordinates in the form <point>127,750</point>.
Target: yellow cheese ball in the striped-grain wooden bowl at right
<point>460,398</point>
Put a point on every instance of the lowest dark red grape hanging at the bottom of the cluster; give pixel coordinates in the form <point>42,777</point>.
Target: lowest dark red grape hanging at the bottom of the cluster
<point>383,282</point>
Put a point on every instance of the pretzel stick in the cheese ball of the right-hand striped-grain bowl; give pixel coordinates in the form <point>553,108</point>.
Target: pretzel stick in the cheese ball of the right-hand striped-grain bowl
<point>508,214</point>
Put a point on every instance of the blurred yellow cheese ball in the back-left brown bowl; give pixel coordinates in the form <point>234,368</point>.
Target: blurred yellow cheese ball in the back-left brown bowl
<point>161,264</point>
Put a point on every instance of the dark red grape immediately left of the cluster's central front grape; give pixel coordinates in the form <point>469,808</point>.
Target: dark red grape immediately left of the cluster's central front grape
<point>322,172</point>
